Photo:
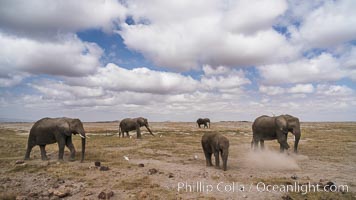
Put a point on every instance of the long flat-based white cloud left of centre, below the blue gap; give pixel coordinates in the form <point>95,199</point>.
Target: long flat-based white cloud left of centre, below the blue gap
<point>142,79</point>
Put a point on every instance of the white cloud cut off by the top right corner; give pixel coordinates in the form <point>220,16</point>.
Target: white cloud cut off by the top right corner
<point>331,23</point>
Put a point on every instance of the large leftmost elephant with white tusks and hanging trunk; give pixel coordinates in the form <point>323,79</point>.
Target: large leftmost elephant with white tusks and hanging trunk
<point>51,130</point>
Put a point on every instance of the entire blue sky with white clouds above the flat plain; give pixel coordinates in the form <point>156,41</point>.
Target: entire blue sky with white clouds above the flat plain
<point>178,60</point>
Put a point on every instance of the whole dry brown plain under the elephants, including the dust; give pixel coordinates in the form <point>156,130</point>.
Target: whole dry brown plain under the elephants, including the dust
<point>171,165</point>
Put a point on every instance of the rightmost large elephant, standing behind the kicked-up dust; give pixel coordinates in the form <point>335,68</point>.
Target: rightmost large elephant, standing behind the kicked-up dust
<point>271,128</point>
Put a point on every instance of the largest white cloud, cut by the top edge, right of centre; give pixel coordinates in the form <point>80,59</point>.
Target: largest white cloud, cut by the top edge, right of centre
<point>220,33</point>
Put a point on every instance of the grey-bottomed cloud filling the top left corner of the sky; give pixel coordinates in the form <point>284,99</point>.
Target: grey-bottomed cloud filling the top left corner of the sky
<point>43,17</point>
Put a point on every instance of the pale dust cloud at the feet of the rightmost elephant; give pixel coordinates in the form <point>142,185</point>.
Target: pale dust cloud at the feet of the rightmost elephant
<point>271,160</point>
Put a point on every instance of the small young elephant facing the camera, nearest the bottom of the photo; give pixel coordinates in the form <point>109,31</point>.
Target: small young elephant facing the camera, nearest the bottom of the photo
<point>215,143</point>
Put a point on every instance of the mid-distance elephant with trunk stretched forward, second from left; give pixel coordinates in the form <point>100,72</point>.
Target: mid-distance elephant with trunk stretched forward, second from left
<point>130,124</point>
